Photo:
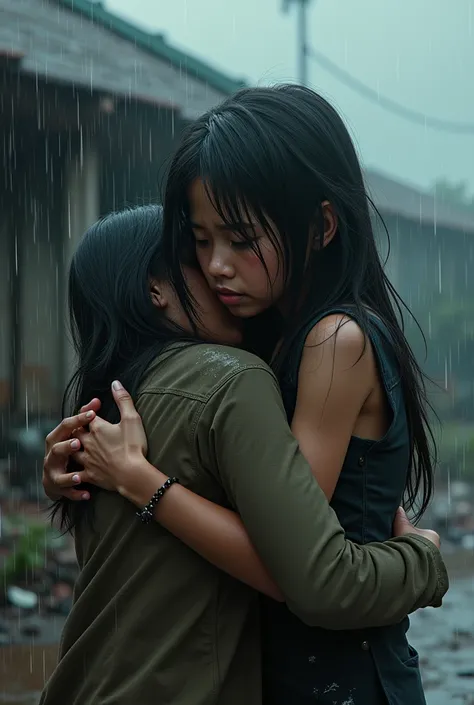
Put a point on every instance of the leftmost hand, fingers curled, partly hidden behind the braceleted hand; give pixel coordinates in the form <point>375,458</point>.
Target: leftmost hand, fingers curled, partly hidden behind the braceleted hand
<point>59,447</point>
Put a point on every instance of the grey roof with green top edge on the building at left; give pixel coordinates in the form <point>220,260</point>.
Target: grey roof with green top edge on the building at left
<point>79,42</point>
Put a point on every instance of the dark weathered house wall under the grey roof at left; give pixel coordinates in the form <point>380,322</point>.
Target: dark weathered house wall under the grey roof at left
<point>62,183</point>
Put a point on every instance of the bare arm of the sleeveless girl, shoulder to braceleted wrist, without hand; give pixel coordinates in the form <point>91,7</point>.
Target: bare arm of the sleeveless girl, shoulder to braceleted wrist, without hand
<point>334,381</point>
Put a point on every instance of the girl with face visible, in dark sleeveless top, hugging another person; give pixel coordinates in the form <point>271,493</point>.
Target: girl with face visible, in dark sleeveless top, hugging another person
<point>269,191</point>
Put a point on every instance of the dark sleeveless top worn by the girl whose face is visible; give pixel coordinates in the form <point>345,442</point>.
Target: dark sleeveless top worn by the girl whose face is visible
<point>305,665</point>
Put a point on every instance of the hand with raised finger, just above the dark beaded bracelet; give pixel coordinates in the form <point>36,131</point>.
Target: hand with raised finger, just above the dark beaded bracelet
<point>112,452</point>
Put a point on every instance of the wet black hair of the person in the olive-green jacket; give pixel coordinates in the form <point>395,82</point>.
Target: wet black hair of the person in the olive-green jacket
<point>116,330</point>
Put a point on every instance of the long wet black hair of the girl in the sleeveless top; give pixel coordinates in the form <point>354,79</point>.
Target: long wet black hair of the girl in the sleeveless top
<point>274,155</point>
